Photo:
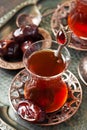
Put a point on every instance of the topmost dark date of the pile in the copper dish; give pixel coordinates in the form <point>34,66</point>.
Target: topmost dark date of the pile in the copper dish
<point>25,33</point>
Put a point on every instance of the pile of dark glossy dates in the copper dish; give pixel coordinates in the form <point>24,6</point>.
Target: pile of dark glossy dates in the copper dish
<point>20,40</point>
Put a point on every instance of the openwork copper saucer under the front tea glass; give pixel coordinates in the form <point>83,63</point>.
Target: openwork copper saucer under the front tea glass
<point>16,94</point>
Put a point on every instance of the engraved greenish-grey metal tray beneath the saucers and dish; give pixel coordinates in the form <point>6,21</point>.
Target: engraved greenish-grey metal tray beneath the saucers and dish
<point>8,119</point>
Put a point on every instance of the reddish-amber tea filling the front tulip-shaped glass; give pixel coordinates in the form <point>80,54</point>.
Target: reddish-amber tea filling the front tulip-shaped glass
<point>47,89</point>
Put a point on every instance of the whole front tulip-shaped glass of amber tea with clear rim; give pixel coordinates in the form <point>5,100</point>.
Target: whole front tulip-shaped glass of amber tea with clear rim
<point>46,87</point>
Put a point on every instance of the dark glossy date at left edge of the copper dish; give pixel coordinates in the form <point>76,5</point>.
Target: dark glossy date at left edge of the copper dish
<point>10,49</point>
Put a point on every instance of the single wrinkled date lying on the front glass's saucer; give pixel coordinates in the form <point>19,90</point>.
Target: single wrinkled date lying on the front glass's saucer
<point>30,112</point>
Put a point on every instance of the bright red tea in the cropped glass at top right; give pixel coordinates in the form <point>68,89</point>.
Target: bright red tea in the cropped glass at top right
<point>77,18</point>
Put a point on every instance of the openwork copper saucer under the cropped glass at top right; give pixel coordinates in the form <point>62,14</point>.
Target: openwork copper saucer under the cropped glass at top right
<point>60,16</point>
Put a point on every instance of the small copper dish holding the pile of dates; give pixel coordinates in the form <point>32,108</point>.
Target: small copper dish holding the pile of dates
<point>14,65</point>
